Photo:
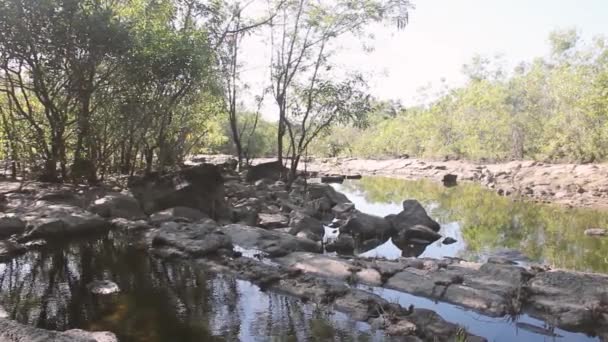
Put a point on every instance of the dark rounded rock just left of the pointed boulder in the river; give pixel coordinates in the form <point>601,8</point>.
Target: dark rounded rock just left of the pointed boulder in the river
<point>364,226</point>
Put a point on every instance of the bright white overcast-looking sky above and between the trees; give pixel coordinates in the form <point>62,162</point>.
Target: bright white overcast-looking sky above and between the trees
<point>445,34</point>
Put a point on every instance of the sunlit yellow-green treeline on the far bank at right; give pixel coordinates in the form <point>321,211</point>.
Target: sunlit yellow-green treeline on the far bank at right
<point>554,109</point>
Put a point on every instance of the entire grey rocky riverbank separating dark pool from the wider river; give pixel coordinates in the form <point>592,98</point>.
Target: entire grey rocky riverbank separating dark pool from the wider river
<point>279,237</point>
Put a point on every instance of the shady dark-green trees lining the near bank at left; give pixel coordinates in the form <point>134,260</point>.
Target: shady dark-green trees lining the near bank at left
<point>95,87</point>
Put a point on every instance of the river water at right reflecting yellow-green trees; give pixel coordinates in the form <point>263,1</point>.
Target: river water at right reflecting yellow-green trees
<point>483,222</point>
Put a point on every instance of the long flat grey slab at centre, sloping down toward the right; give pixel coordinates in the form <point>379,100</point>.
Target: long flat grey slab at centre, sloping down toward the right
<point>271,242</point>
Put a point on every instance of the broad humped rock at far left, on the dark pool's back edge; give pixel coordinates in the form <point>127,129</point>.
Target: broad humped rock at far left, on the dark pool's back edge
<point>60,220</point>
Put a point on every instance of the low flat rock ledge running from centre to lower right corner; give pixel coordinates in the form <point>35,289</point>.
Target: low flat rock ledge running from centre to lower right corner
<point>569,300</point>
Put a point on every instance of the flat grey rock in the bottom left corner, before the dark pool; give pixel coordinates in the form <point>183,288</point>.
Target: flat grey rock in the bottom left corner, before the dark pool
<point>12,331</point>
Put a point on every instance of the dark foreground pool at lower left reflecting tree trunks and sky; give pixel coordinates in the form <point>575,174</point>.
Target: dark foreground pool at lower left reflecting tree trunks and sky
<point>158,301</point>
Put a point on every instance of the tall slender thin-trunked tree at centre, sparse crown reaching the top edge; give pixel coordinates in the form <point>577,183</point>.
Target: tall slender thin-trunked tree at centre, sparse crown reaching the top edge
<point>301,39</point>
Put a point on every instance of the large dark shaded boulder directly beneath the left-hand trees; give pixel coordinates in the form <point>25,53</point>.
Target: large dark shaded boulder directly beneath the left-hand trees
<point>200,187</point>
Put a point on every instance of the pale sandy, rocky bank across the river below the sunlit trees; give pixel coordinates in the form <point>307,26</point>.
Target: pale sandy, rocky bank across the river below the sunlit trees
<point>567,184</point>
